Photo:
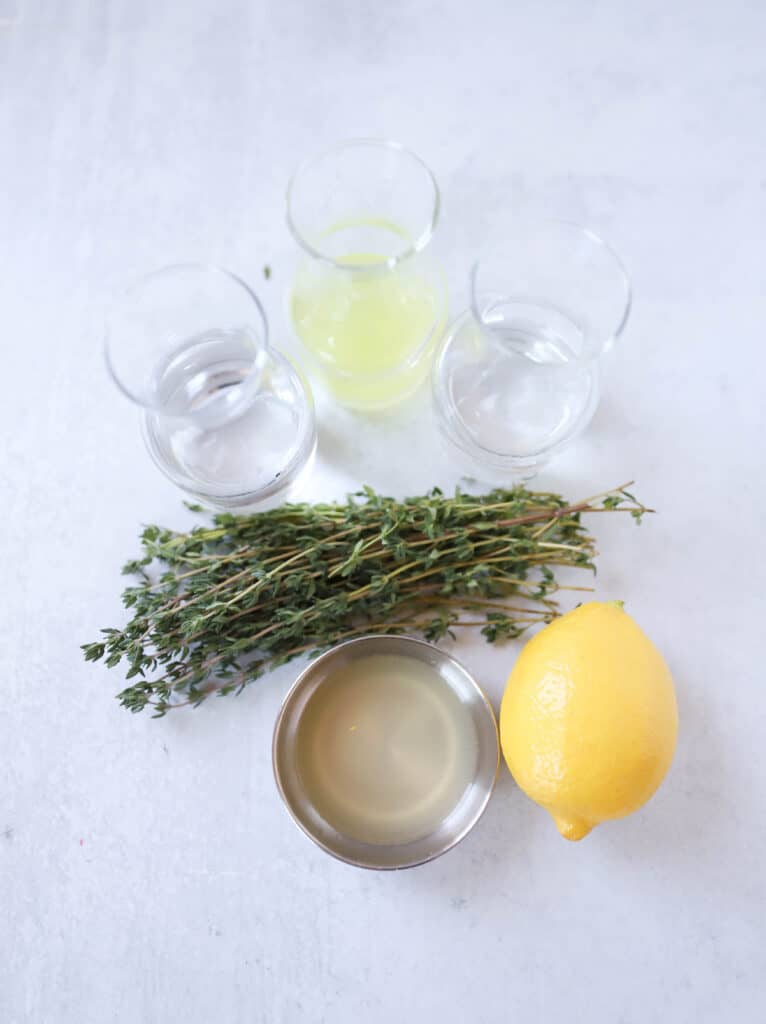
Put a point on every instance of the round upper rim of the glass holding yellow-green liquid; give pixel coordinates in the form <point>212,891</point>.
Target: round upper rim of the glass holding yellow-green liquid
<point>385,144</point>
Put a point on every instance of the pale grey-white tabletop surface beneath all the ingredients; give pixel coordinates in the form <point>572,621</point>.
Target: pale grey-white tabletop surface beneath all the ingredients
<point>148,871</point>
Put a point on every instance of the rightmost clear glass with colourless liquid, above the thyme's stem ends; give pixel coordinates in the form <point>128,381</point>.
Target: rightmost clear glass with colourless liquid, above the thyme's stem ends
<point>518,376</point>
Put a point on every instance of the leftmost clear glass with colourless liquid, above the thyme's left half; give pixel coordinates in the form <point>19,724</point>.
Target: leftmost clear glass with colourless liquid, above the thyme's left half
<point>226,417</point>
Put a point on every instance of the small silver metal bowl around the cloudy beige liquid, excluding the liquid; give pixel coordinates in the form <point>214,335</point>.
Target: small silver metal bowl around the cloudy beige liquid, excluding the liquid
<point>458,823</point>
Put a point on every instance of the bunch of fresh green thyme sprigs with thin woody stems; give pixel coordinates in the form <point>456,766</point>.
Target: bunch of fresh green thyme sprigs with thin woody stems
<point>216,609</point>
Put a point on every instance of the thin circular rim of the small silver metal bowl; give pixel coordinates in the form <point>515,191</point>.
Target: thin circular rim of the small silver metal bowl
<point>311,670</point>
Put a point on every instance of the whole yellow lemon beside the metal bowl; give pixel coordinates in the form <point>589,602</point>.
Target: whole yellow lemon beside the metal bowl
<point>589,720</point>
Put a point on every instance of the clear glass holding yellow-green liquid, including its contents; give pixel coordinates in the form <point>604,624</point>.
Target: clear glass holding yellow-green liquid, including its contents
<point>368,302</point>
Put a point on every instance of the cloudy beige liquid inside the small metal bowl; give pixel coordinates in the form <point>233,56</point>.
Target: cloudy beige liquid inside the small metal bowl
<point>387,750</point>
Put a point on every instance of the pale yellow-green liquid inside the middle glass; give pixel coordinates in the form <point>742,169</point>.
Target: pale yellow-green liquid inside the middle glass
<point>371,331</point>
